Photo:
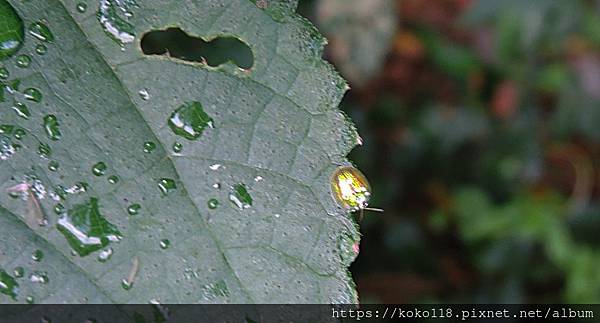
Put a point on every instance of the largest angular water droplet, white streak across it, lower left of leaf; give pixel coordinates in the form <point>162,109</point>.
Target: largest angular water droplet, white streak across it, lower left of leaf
<point>85,229</point>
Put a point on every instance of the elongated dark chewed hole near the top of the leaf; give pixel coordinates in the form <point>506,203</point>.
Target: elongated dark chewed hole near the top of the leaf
<point>175,43</point>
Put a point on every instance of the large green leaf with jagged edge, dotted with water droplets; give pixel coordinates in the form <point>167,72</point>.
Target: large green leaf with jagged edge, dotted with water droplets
<point>242,213</point>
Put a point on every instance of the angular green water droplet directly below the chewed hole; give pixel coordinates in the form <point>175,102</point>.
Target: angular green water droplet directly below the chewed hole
<point>190,120</point>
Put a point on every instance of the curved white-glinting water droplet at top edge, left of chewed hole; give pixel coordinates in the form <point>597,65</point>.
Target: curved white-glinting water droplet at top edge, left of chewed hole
<point>114,25</point>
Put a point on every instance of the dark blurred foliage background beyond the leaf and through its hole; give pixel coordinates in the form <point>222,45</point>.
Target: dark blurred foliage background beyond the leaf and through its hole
<point>481,129</point>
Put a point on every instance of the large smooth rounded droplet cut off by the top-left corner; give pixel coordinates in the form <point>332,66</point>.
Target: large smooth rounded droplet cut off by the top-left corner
<point>12,32</point>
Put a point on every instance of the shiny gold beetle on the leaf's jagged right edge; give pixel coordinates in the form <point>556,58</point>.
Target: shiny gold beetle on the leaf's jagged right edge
<point>351,189</point>
